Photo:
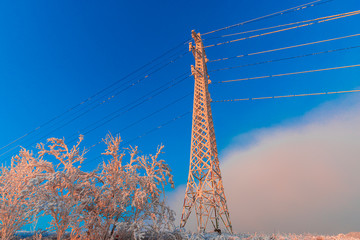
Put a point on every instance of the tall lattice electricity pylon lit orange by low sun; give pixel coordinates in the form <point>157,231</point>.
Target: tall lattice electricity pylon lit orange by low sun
<point>204,191</point>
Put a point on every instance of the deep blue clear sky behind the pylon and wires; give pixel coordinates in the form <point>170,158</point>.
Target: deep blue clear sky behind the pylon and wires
<point>56,54</point>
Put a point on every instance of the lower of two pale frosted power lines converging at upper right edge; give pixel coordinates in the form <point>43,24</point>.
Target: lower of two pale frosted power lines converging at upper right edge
<point>343,15</point>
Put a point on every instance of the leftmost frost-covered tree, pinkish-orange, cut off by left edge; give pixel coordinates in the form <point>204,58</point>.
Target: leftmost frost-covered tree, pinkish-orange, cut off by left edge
<point>17,190</point>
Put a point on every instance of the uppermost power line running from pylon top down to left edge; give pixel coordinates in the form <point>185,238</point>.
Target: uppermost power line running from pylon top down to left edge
<point>94,95</point>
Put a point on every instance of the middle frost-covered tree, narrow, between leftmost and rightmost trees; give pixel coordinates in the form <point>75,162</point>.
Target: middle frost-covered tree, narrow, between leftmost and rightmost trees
<point>60,193</point>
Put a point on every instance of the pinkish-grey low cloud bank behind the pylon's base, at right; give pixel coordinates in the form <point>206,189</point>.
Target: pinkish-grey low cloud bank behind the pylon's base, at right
<point>299,177</point>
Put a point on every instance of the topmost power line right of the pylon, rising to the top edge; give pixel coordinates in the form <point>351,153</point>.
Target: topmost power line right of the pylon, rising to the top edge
<point>293,9</point>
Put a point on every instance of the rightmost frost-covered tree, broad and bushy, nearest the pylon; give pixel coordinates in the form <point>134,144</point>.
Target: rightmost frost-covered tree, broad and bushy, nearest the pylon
<point>129,197</point>
